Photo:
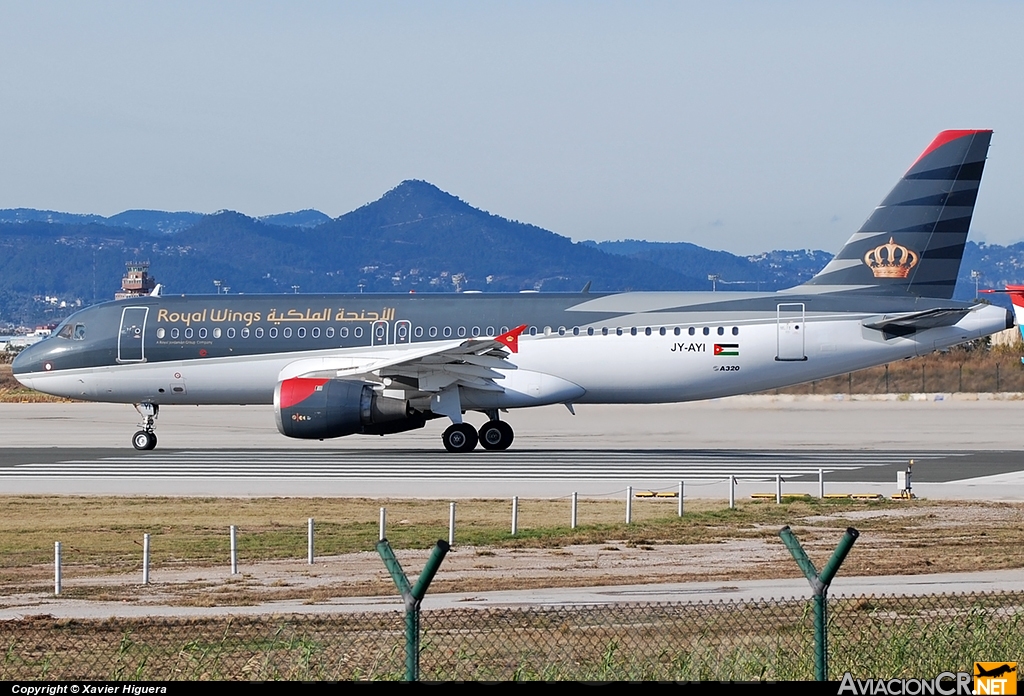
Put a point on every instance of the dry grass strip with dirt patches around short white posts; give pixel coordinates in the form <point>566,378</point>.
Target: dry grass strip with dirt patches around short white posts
<point>102,542</point>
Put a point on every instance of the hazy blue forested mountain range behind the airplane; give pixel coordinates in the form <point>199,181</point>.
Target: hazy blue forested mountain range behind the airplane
<point>415,238</point>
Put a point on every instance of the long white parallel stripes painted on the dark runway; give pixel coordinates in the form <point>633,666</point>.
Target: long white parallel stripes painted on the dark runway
<point>435,465</point>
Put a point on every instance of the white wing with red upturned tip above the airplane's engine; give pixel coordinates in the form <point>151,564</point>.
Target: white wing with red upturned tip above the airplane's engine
<point>471,363</point>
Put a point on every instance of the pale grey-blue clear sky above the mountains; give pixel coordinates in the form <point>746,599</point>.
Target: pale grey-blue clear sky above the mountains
<point>742,126</point>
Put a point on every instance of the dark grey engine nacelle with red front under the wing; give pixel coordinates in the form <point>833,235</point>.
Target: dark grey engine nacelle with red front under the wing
<point>318,409</point>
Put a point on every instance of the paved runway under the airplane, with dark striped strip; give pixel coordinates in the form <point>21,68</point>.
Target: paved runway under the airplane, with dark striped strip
<point>962,449</point>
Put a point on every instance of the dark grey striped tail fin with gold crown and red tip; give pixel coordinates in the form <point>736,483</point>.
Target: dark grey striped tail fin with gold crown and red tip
<point>914,242</point>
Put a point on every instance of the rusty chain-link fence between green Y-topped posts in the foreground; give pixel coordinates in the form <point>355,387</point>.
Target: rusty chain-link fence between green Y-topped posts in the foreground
<point>870,637</point>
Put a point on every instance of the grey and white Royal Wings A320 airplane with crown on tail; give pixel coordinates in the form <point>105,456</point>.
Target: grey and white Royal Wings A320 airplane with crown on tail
<point>382,364</point>
